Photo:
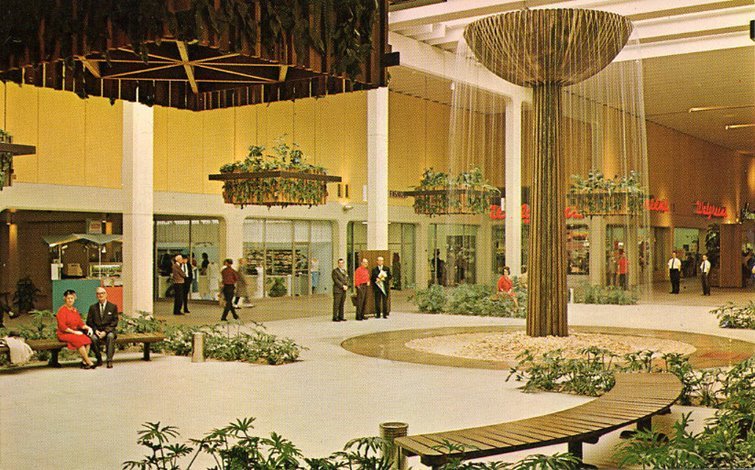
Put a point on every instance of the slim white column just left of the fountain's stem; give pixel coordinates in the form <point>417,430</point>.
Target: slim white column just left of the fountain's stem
<point>514,185</point>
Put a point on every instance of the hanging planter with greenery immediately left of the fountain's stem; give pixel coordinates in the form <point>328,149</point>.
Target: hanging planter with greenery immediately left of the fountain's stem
<point>441,194</point>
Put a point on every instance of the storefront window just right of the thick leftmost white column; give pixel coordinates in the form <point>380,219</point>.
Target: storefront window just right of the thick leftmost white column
<point>196,237</point>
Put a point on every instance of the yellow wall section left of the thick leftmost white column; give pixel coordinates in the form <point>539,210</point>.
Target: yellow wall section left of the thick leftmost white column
<point>79,142</point>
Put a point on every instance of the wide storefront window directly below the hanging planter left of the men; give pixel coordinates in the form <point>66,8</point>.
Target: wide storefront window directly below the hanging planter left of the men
<point>286,257</point>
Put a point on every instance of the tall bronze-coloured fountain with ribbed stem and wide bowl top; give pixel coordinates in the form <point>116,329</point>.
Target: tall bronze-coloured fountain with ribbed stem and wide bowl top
<point>547,50</point>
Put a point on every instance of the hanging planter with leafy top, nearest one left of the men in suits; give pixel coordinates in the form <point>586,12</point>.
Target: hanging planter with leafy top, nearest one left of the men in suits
<point>282,178</point>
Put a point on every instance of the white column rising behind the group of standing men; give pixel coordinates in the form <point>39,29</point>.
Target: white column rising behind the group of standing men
<point>377,169</point>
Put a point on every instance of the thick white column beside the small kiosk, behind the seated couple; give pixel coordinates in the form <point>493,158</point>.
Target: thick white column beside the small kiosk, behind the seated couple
<point>136,179</point>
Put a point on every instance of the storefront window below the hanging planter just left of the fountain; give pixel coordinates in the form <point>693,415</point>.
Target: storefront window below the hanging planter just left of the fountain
<point>454,254</point>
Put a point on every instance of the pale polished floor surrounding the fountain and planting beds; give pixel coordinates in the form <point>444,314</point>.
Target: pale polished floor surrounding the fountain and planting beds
<point>74,419</point>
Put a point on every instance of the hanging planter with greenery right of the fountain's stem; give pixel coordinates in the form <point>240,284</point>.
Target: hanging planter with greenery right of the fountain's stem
<point>598,195</point>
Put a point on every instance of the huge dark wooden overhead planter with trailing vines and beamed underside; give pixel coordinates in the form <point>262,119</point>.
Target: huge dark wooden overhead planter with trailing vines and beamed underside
<point>194,54</point>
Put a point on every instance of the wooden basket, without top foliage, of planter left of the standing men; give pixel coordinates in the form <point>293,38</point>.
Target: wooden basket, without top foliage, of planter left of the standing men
<point>275,187</point>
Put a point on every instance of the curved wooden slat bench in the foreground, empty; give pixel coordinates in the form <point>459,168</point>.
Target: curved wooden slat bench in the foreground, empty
<point>635,398</point>
